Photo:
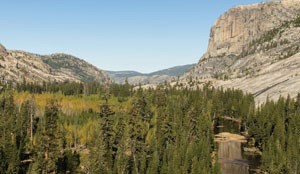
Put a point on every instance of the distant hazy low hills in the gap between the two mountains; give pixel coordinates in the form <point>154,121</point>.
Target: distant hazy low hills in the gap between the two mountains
<point>157,77</point>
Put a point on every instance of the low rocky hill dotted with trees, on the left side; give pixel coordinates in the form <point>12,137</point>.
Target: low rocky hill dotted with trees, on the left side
<point>20,66</point>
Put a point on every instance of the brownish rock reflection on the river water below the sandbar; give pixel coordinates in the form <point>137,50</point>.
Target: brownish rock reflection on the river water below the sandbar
<point>230,155</point>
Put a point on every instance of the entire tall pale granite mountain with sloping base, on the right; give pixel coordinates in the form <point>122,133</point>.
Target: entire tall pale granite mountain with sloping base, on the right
<point>254,48</point>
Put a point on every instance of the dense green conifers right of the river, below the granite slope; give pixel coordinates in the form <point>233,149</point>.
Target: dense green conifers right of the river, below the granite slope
<point>276,130</point>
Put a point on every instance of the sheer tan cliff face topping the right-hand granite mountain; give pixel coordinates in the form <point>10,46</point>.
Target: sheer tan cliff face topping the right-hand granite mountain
<point>233,32</point>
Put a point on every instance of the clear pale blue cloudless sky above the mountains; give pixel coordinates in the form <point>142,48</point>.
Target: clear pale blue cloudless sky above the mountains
<point>140,35</point>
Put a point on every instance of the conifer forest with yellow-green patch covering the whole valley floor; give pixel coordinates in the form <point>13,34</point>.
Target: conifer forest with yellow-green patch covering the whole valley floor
<point>89,128</point>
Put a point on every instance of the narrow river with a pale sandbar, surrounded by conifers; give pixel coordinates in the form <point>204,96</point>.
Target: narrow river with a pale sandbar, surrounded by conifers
<point>230,150</point>
